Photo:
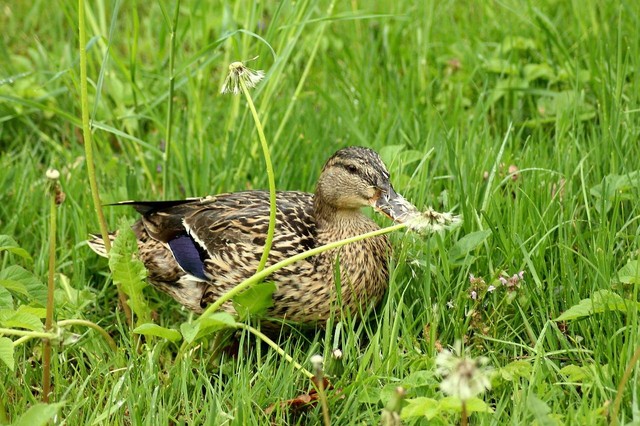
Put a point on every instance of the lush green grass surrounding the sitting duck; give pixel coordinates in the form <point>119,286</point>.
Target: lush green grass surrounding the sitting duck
<point>444,90</point>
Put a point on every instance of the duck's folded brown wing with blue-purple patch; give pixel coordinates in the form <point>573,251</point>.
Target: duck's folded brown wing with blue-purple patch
<point>214,233</point>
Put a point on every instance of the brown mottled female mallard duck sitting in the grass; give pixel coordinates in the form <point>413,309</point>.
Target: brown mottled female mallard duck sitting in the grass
<point>197,249</point>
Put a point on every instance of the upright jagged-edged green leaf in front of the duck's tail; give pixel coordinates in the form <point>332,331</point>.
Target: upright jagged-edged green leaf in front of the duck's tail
<point>129,272</point>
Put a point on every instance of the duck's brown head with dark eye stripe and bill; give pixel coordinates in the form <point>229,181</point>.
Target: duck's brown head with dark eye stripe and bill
<point>356,177</point>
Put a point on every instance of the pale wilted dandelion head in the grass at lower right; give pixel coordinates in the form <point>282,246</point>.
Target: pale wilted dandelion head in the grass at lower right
<point>463,377</point>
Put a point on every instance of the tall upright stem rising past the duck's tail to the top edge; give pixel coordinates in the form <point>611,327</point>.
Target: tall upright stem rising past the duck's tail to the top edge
<point>88,147</point>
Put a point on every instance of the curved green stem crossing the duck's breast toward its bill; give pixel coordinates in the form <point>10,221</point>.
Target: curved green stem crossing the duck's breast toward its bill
<point>259,276</point>
